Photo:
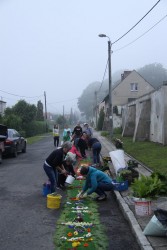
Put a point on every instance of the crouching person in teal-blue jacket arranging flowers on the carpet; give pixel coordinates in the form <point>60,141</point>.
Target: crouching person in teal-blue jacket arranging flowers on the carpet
<point>96,181</point>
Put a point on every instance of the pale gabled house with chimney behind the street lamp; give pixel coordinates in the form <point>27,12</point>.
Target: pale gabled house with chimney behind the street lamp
<point>131,86</point>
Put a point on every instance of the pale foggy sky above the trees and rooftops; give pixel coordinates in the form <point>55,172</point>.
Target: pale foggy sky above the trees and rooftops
<point>53,46</point>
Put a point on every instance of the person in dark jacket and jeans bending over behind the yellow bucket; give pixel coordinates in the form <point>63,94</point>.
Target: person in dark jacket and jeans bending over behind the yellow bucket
<point>53,164</point>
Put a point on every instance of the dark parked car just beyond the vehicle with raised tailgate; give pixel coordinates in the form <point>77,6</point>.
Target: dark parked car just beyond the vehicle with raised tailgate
<point>14,143</point>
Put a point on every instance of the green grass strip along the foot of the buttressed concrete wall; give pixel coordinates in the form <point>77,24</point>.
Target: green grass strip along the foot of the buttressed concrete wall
<point>151,154</point>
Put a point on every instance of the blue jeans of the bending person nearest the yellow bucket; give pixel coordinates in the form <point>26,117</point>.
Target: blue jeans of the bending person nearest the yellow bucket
<point>52,175</point>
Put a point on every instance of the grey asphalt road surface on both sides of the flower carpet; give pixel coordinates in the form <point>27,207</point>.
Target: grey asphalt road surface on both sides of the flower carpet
<point>25,221</point>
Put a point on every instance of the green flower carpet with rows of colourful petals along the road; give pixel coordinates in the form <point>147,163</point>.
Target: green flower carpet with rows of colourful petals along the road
<point>79,224</point>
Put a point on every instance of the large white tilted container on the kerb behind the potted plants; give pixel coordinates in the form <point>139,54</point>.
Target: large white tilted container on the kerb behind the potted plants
<point>118,159</point>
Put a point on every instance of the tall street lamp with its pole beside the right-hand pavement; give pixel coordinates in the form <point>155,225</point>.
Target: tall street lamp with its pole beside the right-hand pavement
<point>110,85</point>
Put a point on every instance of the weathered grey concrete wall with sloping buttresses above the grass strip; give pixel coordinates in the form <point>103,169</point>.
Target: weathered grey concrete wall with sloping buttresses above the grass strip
<point>146,118</point>
